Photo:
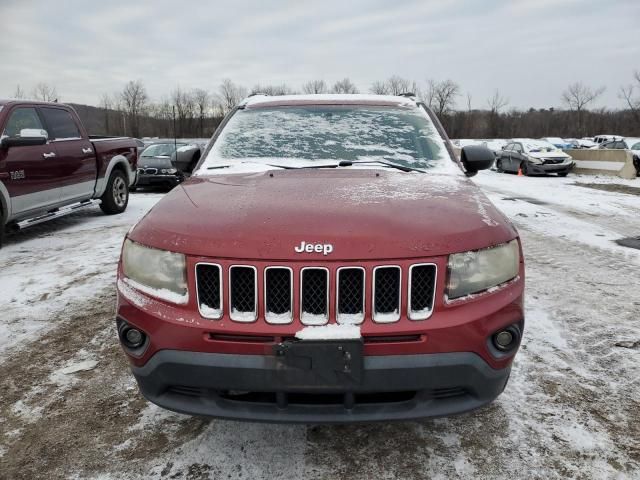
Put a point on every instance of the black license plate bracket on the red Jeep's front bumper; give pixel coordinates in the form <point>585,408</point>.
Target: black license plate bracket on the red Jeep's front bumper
<point>338,364</point>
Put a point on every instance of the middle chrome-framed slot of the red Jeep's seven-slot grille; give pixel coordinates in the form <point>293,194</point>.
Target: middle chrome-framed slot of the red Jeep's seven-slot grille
<point>314,296</point>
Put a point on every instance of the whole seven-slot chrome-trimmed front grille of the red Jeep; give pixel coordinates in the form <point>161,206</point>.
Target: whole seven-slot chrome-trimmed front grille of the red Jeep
<point>288,295</point>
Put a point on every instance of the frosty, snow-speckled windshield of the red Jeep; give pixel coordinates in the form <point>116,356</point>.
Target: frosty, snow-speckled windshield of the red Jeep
<point>312,135</point>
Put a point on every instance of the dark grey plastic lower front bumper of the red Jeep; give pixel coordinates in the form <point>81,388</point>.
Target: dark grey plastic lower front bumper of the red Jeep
<point>263,388</point>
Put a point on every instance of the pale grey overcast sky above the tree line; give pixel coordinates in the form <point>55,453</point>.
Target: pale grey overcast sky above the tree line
<point>529,49</point>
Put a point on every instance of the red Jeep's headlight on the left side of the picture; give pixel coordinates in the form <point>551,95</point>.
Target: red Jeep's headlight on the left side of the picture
<point>155,272</point>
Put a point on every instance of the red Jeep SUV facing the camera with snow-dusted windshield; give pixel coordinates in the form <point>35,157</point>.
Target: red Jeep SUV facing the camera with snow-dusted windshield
<point>328,261</point>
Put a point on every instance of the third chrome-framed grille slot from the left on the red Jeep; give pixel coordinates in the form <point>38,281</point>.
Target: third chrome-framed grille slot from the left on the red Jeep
<point>278,295</point>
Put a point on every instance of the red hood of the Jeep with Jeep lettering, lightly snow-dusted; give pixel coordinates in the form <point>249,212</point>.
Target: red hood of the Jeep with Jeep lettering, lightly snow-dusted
<point>364,214</point>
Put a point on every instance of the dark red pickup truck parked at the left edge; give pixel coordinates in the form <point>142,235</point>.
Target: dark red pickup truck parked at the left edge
<point>50,167</point>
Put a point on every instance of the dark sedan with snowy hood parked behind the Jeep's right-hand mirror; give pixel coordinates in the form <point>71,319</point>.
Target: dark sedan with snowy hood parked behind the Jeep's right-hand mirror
<point>533,157</point>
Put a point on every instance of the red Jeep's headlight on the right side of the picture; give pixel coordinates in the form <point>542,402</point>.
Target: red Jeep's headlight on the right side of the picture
<point>473,272</point>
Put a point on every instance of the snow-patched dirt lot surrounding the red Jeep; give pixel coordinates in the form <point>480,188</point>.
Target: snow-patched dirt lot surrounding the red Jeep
<point>70,409</point>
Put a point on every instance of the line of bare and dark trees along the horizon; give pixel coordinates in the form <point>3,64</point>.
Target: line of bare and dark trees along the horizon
<point>189,113</point>
